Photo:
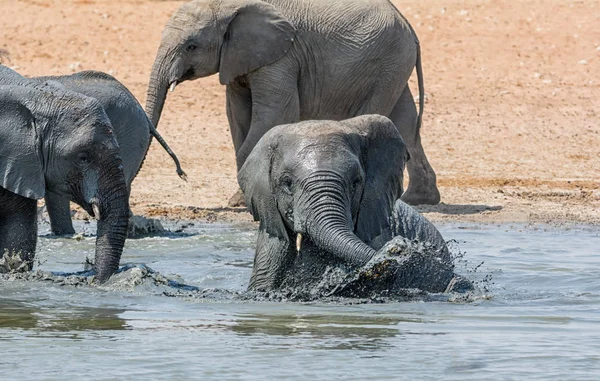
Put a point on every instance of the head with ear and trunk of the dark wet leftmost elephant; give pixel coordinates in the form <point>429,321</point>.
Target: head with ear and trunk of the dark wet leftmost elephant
<point>60,141</point>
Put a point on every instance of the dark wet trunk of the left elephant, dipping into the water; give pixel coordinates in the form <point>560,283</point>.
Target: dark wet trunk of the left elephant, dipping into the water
<point>112,205</point>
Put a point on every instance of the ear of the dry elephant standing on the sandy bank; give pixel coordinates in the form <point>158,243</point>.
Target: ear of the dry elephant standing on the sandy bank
<point>257,35</point>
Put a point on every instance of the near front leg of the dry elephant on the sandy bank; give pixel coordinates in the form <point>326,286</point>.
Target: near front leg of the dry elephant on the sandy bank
<point>275,101</point>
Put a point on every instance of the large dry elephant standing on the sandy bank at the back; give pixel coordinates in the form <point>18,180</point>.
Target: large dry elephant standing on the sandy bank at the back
<point>286,61</point>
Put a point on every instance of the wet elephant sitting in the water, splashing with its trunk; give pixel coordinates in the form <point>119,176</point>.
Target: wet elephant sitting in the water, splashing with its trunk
<point>326,194</point>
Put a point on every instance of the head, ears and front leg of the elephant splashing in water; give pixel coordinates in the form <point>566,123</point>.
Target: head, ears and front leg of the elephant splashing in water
<point>331,184</point>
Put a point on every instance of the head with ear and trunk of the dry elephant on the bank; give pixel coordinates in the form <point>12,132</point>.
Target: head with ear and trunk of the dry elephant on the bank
<point>203,37</point>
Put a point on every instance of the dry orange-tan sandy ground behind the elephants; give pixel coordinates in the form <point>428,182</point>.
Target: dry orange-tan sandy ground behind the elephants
<point>511,125</point>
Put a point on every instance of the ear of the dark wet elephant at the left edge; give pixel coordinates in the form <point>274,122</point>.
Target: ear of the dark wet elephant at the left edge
<point>21,169</point>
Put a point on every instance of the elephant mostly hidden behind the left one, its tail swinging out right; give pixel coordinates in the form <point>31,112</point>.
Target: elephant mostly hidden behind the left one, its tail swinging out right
<point>129,122</point>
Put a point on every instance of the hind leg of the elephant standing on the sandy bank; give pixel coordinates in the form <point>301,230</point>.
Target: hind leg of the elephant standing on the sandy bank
<point>422,187</point>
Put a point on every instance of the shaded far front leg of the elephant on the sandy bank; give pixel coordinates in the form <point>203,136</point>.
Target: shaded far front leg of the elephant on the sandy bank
<point>239,114</point>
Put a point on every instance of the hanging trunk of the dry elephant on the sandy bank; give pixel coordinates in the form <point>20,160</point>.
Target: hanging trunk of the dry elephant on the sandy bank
<point>158,86</point>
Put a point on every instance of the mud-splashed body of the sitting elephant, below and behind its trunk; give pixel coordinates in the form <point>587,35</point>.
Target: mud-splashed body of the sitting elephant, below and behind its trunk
<point>411,254</point>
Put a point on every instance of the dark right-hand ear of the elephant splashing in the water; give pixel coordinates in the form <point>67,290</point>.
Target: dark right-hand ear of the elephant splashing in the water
<point>384,157</point>
